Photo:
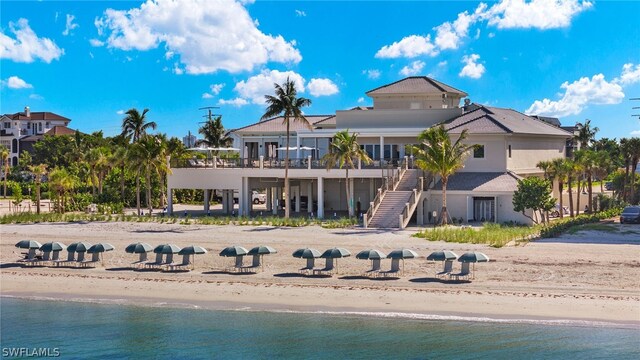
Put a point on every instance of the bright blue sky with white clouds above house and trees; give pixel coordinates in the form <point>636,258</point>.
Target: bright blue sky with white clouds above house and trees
<point>89,61</point>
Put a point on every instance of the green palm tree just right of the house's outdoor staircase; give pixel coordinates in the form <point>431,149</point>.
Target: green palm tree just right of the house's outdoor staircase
<point>439,155</point>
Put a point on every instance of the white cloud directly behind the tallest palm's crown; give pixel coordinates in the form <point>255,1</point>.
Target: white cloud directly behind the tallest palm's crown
<point>256,87</point>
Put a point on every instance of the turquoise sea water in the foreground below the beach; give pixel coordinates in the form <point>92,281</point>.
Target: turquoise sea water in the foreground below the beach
<point>89,330</point>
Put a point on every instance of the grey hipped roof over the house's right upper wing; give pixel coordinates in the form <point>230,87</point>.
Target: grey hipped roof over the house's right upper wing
<point>491,120</point>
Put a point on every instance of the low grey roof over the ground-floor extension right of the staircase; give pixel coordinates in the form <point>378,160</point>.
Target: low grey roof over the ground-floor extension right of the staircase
<point>481,181</point>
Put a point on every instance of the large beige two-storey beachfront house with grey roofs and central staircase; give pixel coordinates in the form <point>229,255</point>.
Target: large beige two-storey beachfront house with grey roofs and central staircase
<point>390,192</point>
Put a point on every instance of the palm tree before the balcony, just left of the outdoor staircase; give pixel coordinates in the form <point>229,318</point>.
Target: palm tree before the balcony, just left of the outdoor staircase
<point>345,150</point>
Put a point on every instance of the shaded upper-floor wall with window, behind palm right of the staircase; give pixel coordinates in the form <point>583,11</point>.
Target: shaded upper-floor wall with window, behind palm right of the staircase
<point>494,154</point>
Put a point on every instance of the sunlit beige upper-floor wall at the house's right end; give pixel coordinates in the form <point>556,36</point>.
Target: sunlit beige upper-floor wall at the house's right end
<point>526,152</point>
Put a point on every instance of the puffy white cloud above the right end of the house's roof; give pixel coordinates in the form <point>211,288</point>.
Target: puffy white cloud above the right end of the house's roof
<point>578,95</point>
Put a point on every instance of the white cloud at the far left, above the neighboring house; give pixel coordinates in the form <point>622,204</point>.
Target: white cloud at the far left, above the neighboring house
<point>27,46</point>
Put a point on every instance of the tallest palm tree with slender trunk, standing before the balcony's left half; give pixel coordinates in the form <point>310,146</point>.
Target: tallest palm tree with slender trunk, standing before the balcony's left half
<point>287,103</point>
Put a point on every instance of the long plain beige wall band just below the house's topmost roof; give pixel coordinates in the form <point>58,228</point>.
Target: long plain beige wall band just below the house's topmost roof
<point>394,118</point>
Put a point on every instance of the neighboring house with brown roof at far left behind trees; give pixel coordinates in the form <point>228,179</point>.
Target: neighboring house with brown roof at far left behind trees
<point>20,130</point>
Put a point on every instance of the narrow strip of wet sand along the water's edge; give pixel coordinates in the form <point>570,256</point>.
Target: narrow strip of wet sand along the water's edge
<point>217,306</point>
